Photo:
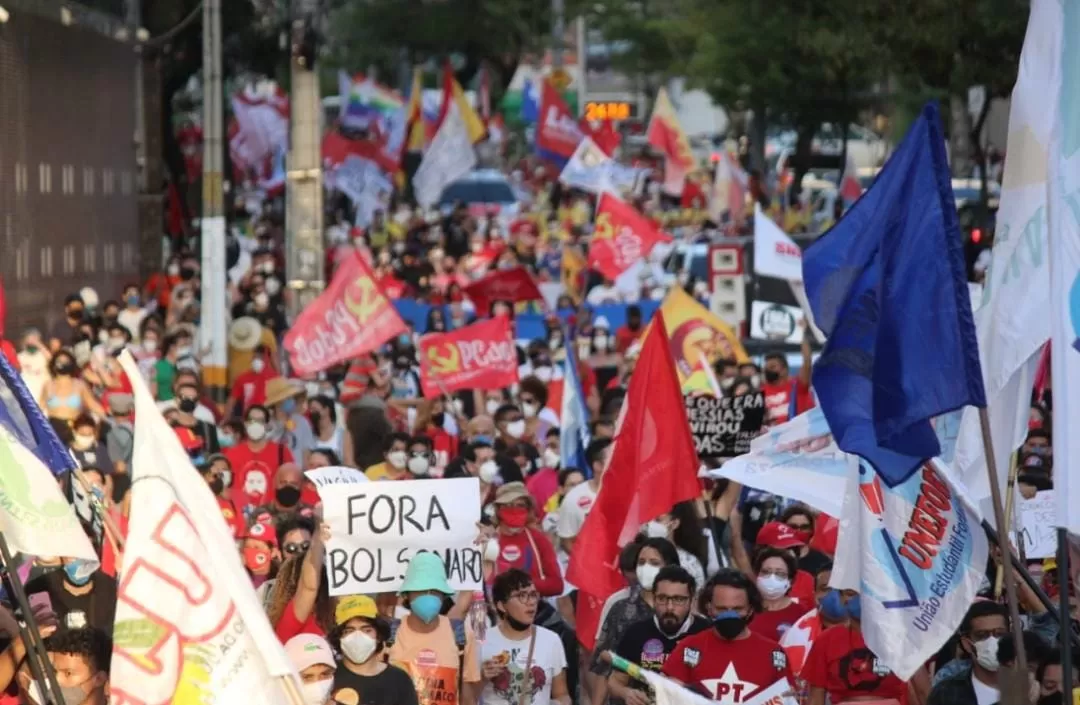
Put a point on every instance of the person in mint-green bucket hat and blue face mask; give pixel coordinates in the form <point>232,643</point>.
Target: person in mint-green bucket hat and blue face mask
<point>438,654</point>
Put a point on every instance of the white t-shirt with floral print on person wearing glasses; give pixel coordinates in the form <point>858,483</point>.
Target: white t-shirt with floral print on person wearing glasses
<point>549,660</point>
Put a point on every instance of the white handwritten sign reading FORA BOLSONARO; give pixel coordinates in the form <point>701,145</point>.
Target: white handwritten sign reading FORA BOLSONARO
<point>376,528</point>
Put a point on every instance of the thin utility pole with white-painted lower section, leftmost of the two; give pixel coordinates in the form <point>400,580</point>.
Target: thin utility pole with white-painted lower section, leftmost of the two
<point>212,332</point>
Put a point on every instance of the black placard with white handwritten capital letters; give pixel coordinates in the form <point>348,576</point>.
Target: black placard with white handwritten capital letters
<point>724,427</point>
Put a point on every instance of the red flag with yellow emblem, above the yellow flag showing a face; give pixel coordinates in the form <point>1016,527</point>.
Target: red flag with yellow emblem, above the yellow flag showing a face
<point>622,238</point>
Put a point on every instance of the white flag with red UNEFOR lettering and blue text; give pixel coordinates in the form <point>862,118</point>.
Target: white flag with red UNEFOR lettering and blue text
<point>916,553</point>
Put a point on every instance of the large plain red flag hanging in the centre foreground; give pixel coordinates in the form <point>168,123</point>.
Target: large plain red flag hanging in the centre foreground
<point>653,467</point>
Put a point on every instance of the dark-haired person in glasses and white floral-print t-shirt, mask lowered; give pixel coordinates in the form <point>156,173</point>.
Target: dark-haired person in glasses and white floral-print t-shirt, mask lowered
<point>522,662</point>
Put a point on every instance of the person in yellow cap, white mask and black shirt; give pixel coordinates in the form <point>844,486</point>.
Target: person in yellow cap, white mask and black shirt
<point>364,677</point>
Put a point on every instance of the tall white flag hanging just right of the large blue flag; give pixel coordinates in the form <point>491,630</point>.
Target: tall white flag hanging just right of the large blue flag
<point>1014,322</point>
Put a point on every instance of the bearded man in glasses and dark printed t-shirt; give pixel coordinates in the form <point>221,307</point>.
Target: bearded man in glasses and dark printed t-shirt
<point>649,643</point>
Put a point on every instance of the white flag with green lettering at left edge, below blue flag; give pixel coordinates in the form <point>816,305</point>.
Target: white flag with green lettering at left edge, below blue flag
<point>35,518</point>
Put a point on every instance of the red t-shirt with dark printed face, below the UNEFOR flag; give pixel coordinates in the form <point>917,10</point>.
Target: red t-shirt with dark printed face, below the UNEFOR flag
<point>842,665</point>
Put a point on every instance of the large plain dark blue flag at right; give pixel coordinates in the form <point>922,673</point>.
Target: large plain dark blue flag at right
<point>888,287</point>
